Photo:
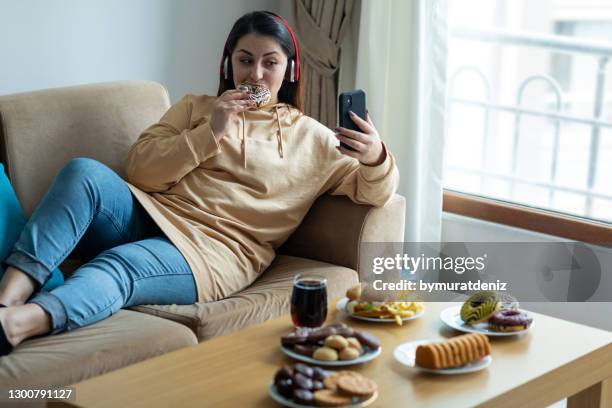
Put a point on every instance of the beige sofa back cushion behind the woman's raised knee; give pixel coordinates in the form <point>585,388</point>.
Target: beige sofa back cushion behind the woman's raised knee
<point>41,131</point>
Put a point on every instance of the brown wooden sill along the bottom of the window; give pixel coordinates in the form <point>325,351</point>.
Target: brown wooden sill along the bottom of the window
<point>532,219</point>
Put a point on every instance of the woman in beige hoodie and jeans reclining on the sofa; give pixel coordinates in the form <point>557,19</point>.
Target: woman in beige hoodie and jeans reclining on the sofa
<point>214,188</point>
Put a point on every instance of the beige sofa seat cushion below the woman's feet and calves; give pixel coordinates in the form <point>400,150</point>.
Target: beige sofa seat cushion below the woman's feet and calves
<point>124,338</point>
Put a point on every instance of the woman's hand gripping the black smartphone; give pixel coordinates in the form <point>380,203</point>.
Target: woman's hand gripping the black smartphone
<point>367,144</point>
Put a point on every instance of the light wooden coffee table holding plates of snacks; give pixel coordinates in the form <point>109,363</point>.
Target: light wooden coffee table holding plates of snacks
<point>556,359</point>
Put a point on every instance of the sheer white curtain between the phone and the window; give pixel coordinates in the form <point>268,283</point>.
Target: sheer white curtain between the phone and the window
<point>401,64</point>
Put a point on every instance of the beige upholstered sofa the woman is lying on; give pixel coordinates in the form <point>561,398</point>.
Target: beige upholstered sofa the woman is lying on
<point>41,131</point>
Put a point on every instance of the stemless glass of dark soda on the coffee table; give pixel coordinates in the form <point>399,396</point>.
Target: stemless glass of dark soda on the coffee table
<point>309,301</point>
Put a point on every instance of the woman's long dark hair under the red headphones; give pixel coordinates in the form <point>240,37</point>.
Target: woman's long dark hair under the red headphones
<point>263,23</point>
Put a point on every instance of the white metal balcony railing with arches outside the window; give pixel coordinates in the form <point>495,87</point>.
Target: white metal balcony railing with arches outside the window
<point>552,43</point>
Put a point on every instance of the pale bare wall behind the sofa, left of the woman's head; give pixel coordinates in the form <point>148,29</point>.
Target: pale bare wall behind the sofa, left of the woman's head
<point>54,43</point>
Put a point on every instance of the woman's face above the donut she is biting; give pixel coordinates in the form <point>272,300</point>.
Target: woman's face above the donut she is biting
<point>259,59</point>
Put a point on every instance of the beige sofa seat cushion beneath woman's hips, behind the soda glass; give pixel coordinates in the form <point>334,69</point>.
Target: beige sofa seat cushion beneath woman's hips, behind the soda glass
<point>266,298</point>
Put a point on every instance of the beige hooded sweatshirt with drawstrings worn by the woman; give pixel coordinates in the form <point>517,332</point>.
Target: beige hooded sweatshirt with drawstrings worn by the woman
<point>228,206</point>
